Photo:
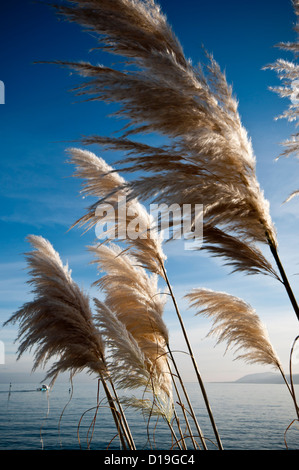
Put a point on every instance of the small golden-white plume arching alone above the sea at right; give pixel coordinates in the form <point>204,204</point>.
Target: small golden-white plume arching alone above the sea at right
<point>236,323</point>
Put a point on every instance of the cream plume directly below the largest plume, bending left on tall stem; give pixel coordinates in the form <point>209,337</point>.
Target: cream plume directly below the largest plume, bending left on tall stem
<point>101,181</point>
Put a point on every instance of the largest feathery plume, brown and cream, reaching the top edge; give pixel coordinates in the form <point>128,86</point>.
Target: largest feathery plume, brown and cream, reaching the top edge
<point>210,158</point>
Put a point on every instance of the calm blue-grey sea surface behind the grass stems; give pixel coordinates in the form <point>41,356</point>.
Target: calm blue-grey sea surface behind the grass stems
<point>248,417</point>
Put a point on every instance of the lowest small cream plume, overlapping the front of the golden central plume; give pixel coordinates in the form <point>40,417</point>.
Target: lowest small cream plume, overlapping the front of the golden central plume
<point>133,366</point>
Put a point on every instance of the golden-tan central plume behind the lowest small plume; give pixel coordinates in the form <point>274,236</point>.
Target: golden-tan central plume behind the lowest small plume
<point>134,298</point>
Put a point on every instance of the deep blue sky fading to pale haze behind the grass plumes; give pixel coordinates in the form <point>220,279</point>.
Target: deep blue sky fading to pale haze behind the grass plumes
<point>41,117</point>
